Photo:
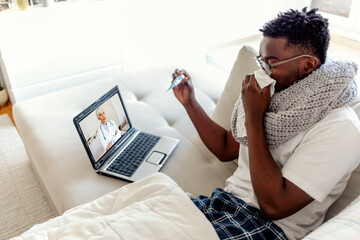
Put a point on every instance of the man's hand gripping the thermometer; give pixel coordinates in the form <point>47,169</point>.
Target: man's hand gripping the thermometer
<point>184,92</point>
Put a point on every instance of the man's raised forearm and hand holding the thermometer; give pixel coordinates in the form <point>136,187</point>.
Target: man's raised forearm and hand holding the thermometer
<point>217,139</point>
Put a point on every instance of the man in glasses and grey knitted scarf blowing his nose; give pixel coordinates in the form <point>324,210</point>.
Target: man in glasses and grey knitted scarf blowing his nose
<point>301,144</point>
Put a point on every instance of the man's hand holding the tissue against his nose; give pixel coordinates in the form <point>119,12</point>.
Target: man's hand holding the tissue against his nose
<point>255,100</point>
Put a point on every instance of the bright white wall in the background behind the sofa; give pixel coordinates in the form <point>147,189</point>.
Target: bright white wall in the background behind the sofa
<point>47,49</point>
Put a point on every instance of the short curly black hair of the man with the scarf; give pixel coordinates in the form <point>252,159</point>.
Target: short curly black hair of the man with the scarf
<point>306,30</point>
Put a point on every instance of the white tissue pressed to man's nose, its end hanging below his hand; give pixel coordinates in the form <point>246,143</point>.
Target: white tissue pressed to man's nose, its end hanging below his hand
<point>264,80</point>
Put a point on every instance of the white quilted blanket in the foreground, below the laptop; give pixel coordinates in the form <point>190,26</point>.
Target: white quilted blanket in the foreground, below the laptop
<point>152,208</point>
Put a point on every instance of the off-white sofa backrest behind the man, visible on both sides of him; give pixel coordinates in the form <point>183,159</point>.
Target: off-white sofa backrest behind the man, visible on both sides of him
<point>245,65</point>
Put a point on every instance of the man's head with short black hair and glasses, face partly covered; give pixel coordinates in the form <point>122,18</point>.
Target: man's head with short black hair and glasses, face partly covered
<point>291,34</point>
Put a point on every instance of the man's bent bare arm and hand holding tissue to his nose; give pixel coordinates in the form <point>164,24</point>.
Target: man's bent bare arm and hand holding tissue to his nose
<point>277,197</point>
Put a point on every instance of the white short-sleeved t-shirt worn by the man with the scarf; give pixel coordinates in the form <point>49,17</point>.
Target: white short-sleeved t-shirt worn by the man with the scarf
<point>319,161</point>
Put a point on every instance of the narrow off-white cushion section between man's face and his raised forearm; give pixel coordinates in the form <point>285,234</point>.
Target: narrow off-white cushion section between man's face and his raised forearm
<point>244,65</point>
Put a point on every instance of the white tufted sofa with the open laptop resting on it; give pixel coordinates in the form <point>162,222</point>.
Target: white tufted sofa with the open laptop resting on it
<point>59,159</point>
